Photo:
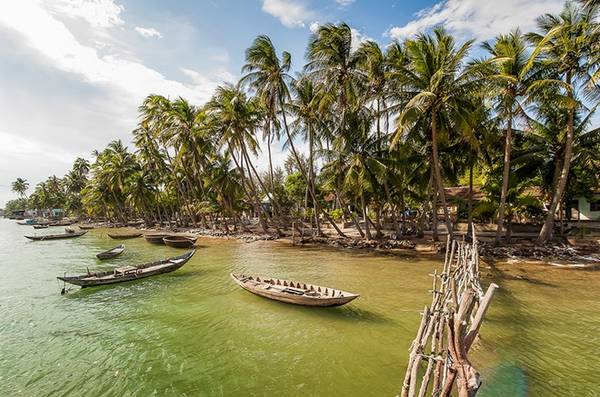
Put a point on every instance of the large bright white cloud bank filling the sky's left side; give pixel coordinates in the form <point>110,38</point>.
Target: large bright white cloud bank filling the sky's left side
<point>63,94</point>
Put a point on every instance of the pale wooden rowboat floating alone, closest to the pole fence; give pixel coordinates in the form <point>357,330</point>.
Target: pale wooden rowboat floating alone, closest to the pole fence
<point>293,292</point>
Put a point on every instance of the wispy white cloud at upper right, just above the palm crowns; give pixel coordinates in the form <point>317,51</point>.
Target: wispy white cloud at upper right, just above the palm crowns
<point>478,19</point>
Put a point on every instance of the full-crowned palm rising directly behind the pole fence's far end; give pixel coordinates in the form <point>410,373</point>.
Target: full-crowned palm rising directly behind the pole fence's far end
<point>439,87</point>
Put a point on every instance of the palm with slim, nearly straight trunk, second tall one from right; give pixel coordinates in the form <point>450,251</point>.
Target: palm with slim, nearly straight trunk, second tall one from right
<point>510,77</point>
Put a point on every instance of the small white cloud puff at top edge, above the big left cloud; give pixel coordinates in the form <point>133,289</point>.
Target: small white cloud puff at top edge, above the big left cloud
<point>98,13</point>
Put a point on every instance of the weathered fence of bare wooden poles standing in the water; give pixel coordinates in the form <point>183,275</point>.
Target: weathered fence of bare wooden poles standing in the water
<point>449,327</point>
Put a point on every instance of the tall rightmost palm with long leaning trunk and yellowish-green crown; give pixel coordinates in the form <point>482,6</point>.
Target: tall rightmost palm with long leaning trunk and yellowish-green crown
<point>564,46</point>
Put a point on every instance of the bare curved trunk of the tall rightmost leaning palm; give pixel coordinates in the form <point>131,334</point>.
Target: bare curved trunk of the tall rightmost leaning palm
<point>546,232</point>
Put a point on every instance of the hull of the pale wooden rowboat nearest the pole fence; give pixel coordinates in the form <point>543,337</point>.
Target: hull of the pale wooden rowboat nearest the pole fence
<point>272,292</point>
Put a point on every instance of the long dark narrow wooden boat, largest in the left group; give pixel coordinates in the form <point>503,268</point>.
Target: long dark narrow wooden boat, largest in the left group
<point>128,273</point>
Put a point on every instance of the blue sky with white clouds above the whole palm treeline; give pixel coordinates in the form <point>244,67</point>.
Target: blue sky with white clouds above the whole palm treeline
<point>72,72</point>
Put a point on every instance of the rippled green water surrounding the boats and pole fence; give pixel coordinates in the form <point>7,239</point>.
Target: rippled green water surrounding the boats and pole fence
<point>195,333</point>
